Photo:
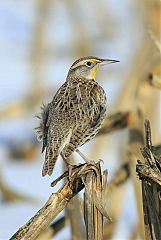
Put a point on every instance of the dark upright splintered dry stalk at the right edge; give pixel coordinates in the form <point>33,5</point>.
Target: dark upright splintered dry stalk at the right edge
<point>150,176</point>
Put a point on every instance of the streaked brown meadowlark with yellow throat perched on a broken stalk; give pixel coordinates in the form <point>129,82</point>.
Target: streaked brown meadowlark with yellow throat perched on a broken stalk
<point>75,114</point>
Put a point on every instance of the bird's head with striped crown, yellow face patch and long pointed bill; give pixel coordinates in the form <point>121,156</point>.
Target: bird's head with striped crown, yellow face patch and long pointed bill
<point>87,67</point>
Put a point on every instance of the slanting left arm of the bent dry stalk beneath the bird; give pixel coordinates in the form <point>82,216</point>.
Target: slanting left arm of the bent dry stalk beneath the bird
<point>54,205</point>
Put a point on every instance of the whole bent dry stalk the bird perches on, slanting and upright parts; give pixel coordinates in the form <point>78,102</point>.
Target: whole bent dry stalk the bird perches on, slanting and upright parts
<point>59,200</point>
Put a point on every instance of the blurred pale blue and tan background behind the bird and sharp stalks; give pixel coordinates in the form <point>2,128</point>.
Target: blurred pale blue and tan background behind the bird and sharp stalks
<point>39,40</point>
